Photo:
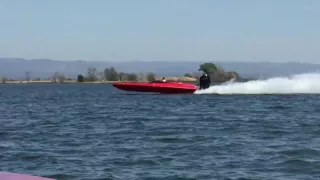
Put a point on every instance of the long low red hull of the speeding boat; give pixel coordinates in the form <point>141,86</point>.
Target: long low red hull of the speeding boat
<point>159,87</point>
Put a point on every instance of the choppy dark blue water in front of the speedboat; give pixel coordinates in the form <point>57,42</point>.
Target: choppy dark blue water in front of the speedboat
<point>75,132</point>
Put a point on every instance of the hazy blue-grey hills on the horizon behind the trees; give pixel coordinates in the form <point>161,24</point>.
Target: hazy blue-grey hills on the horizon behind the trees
<point>44,68</point>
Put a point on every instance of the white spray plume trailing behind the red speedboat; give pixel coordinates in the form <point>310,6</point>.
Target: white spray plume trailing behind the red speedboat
<point>296,84</point>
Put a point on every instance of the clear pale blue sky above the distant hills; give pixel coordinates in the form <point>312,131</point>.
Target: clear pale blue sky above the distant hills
<point>173,30</point>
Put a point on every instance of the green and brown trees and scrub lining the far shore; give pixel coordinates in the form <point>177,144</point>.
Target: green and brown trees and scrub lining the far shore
<point>216,73</point>
